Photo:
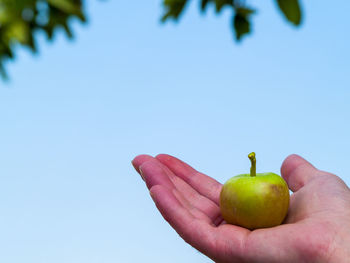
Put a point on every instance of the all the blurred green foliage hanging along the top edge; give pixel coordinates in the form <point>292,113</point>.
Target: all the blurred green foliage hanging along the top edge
<point>21,19</point>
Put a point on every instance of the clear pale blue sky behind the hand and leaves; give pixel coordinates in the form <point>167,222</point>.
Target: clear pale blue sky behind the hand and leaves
<point>74,117</point>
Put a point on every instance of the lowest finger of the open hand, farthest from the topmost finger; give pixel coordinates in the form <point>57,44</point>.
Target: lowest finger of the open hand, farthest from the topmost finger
<point>197,233</point>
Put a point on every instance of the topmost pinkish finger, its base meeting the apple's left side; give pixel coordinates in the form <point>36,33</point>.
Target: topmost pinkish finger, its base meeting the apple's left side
<point>203,184</point>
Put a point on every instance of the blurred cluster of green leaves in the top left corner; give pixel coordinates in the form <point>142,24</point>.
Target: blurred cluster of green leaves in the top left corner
<point>19,28</point>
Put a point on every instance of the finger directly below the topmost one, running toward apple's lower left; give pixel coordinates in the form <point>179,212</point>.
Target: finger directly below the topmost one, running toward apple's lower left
<point>155,173</point>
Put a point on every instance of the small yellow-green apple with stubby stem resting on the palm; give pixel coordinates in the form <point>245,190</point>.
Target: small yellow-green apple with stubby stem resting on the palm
<point>254,200</point>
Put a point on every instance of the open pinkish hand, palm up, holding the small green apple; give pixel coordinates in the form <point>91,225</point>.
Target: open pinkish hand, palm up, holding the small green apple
<point>317,227</point>
